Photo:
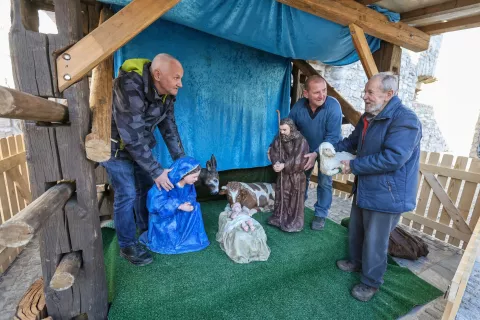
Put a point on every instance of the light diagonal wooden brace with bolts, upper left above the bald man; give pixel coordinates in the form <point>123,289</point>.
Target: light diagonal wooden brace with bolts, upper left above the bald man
<point>74,63</point>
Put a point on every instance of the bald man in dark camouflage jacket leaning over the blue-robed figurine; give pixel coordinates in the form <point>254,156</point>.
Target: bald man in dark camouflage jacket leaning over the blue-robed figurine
<point>143,99</point>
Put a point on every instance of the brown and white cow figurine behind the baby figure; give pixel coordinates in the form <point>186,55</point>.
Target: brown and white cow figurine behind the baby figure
<point>255,196</point>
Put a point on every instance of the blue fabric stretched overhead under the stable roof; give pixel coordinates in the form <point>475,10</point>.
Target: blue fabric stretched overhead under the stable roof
<point>271,26</point>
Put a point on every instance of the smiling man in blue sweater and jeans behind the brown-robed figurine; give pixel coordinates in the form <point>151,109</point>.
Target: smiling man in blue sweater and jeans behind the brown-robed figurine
<point>318,117</point>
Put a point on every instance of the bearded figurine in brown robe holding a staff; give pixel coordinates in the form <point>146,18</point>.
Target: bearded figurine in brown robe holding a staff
<point>287,153</point>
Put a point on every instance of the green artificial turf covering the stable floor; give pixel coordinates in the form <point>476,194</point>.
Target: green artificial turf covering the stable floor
<point>299,281</point>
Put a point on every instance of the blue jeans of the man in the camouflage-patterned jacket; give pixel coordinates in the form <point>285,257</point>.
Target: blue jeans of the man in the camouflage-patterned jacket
<point>130,184</point>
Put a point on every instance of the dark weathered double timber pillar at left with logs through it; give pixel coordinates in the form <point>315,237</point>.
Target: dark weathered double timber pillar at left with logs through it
<point>57,153</point>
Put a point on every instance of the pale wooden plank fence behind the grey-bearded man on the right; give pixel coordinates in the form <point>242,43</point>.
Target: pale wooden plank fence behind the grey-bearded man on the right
<point>448,205</point>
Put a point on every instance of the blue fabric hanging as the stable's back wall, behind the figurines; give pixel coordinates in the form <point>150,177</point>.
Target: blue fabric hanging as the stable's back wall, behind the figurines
<point>230,94</point>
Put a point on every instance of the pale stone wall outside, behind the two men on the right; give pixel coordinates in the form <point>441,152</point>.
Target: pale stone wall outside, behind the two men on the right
<point>350,82</point>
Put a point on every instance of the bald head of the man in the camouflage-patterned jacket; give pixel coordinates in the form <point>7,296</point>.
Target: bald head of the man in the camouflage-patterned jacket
<point>167,73</point>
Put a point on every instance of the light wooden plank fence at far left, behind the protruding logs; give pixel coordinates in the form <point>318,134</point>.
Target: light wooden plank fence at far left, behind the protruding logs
<point>14,188</point>
